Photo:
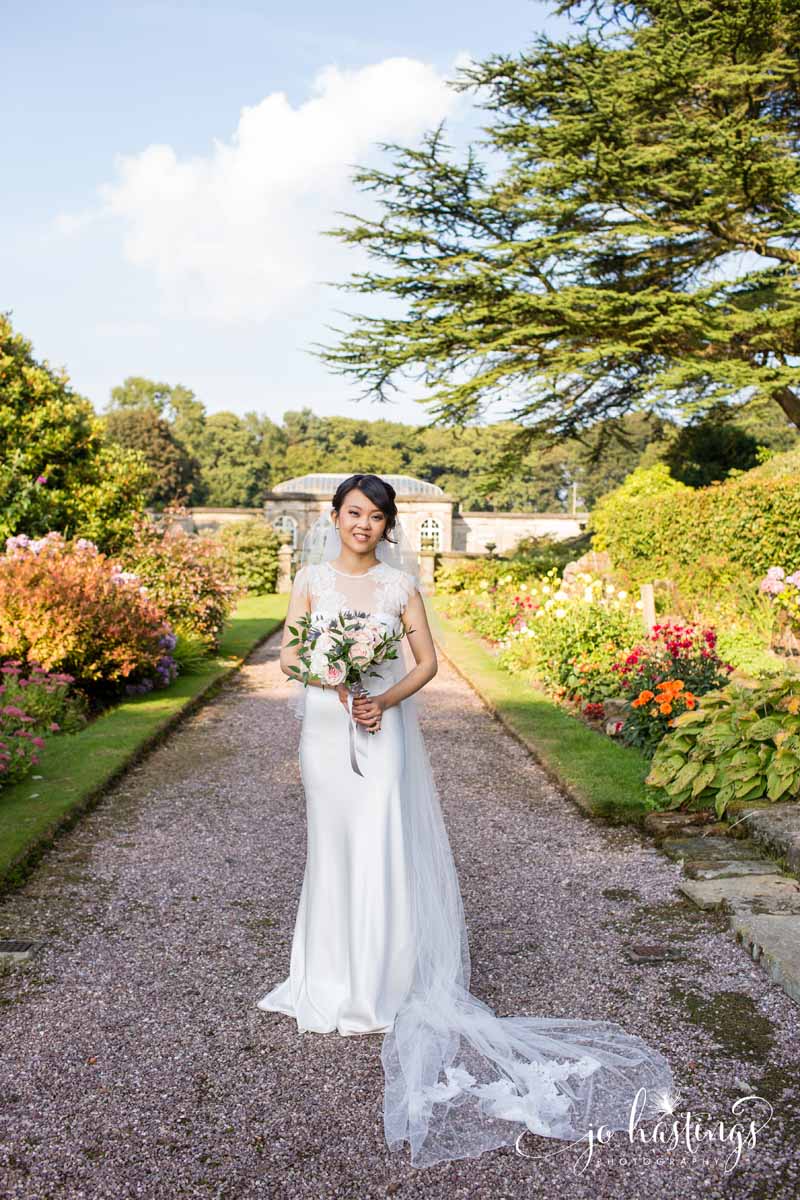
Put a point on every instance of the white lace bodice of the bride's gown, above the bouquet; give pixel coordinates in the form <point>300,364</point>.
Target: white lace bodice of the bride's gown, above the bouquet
<point>383,591</point>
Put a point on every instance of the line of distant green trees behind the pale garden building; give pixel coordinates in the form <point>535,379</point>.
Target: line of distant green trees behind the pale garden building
<point>222,459</point>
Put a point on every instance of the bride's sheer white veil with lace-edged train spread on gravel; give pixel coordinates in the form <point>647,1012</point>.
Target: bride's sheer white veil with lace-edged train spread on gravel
<point>459,1079</point>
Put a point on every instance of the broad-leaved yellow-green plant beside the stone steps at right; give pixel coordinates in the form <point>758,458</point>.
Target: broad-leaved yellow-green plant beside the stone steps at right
<point>743,743</point>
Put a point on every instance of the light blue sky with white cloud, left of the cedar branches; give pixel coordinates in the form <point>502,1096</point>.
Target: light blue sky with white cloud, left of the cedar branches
<point>167,171</point>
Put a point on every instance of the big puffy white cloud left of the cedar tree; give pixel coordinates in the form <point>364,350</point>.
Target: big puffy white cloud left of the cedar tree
<point>236,236</point>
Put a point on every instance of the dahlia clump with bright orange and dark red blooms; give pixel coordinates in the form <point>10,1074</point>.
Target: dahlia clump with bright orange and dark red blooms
<point>664,677</point>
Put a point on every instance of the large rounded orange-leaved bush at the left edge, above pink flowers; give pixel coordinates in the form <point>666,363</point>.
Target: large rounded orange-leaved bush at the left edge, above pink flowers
<point>70,609</point>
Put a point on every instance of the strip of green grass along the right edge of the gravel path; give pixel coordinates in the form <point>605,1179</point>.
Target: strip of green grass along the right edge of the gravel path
<point>604,777</point>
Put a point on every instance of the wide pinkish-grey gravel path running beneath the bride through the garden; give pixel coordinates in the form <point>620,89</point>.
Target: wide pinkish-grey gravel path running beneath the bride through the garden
<point>135,1064</point>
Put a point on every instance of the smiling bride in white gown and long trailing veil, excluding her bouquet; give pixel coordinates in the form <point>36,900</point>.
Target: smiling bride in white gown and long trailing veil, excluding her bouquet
<point>381,941</point>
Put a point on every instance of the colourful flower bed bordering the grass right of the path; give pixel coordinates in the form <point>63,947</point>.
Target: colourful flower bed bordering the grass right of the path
<point>585,647</point>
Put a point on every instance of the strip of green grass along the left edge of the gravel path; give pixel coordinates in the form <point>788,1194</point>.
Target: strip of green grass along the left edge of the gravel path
<point>76,769</point>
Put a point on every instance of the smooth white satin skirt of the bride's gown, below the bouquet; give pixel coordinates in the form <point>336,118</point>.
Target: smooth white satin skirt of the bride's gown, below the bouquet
<point>352,958</point>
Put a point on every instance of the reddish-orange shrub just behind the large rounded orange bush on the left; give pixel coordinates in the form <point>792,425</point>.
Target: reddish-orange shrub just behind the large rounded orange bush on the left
<point>189,578</point>
